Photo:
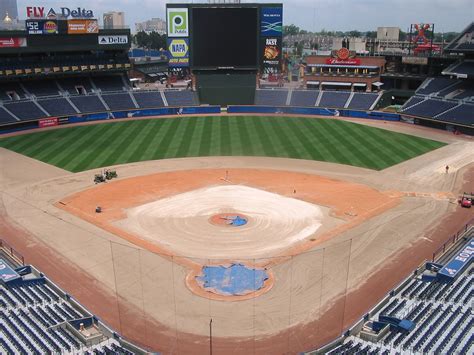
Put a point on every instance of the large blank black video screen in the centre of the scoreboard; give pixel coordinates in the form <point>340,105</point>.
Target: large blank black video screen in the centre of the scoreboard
<point>224,37</point>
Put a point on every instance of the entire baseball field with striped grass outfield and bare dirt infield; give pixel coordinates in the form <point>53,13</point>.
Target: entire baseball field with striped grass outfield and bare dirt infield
<point>337,212</point>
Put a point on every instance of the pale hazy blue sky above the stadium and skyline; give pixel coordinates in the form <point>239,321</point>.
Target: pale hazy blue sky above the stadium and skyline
<point>311,15</point>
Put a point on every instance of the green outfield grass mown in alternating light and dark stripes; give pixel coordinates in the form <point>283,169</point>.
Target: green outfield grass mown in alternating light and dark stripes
<point>85,147</point>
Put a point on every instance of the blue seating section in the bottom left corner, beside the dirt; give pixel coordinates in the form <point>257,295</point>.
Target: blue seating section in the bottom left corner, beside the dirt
<point>35,319</point>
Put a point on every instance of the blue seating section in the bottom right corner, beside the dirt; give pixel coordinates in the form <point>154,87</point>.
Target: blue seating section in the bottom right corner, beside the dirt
<point>443,317</point>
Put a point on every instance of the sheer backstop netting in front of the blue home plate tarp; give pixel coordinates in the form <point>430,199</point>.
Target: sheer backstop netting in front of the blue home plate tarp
<point>164,306</point>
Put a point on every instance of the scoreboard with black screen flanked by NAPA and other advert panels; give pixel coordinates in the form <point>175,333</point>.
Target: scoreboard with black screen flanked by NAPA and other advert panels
<point>225,36</point>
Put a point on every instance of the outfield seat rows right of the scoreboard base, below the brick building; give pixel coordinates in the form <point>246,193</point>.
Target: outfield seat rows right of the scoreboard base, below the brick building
<point>310,98</point>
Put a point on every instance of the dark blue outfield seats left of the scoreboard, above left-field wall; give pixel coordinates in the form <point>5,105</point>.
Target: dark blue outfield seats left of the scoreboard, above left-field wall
<point>92,103</point>
